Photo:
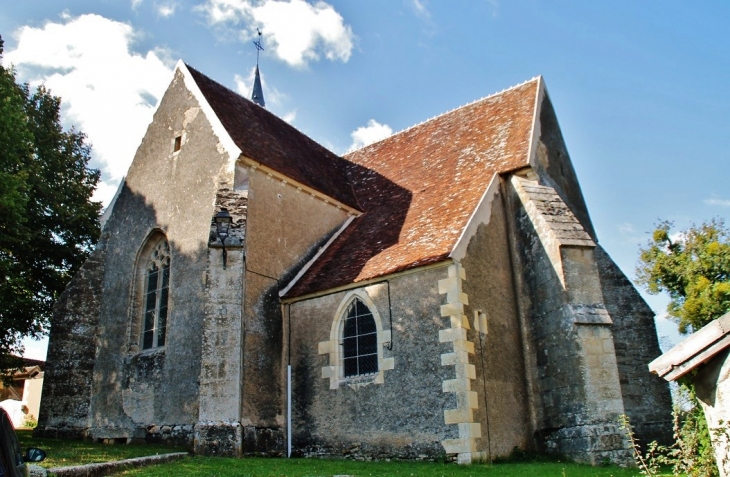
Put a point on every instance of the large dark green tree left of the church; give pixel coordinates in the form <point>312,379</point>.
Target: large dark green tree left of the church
<point>48,223</point>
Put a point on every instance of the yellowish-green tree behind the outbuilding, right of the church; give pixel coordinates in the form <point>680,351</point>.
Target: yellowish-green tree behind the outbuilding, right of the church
<point>694,269</point>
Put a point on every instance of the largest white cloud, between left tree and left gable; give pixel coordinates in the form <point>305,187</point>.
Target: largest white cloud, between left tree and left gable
<point>108,91</point>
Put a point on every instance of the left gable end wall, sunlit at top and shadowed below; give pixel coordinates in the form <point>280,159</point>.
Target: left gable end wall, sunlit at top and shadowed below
<point>153,394</point>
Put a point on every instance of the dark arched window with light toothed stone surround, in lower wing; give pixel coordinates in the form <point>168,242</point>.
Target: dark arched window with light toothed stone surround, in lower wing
<point>359,340</point>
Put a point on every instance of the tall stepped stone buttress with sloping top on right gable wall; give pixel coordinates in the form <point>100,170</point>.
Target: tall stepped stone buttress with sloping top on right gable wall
<point>574,363</point>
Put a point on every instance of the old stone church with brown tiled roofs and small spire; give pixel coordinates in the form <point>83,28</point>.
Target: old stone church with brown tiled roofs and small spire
<point>441,292</point>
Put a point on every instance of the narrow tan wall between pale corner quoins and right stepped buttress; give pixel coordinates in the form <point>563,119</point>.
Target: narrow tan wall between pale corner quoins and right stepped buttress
<point>504,411</point>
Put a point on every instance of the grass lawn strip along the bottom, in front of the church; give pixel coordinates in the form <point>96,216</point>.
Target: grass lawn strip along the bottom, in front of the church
<point>263,467</point>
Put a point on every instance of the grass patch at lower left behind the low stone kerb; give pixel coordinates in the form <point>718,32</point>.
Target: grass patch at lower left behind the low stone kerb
<point>66,452</point>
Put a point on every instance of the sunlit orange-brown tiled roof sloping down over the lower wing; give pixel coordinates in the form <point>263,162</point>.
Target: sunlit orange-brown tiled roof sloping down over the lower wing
<point>418,188</point>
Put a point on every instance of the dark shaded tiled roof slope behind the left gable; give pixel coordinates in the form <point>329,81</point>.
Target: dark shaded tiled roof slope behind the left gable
<point>269,140</point>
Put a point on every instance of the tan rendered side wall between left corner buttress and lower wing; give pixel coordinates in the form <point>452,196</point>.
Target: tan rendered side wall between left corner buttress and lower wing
<point>285,227</point>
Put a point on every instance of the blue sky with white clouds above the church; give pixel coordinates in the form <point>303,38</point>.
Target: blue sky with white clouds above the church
<point>640,88</point>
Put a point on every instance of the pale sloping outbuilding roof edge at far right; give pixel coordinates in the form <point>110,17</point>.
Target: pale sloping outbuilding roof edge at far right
<point>696,350</point>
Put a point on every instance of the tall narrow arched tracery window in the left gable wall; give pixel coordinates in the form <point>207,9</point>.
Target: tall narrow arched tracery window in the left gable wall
<point>155,297</point>
